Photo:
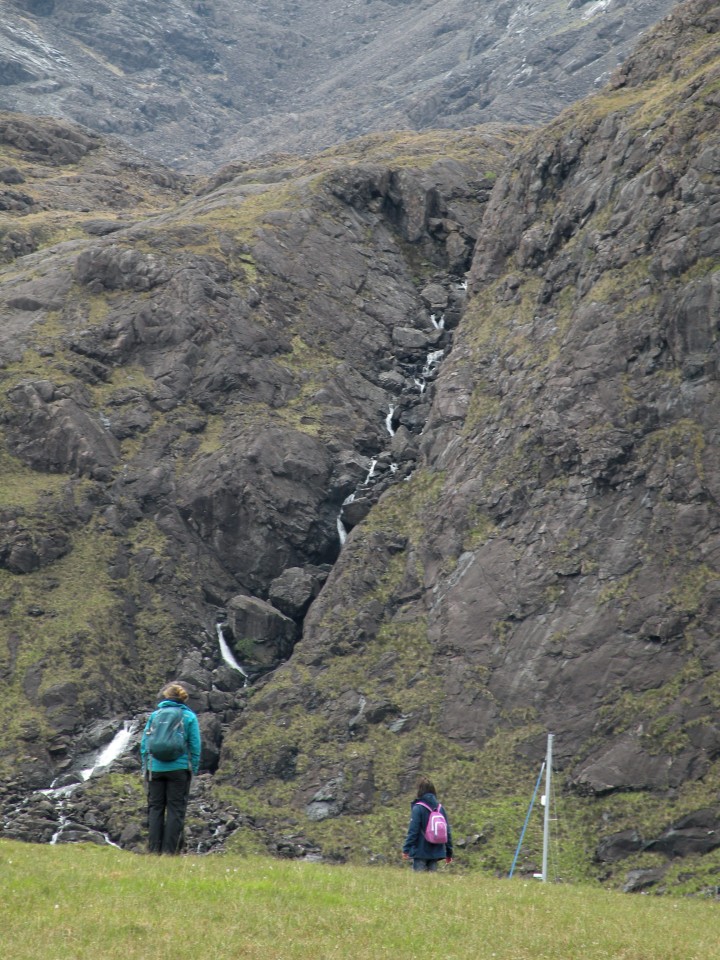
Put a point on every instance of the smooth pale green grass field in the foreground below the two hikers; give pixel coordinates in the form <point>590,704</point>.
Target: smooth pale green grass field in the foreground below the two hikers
<point>83,902</point>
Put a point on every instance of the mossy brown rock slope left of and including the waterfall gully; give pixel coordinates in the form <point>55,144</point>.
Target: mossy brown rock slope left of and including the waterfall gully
<point>205,386</point>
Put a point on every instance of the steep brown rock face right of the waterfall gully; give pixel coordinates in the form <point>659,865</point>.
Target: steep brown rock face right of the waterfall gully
<point>550,564</point>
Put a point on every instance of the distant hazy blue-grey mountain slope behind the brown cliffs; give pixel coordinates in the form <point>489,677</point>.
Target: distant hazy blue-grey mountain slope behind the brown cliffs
<point>194,83</point>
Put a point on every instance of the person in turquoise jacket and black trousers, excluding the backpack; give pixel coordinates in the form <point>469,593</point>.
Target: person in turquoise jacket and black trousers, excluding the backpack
<point>168,782</point>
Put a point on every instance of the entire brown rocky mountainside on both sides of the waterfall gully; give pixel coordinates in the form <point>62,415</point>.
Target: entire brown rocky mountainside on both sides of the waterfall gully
<point>208,384</point>
